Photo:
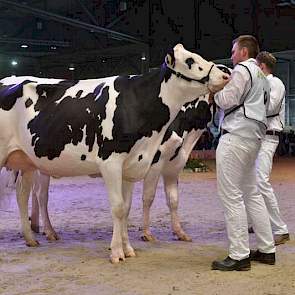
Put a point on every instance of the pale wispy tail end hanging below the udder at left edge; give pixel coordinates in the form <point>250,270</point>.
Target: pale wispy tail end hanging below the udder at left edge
<point>7,186</point>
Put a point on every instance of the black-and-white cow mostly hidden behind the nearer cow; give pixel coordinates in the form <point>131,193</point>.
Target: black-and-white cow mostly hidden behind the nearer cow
<point>177,144</point>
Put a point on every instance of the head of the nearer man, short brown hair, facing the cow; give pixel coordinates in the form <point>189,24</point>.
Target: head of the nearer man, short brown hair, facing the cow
<point>244,47</point>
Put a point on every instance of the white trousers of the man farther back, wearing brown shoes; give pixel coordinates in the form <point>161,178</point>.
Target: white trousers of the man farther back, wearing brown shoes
<point>263,168</point>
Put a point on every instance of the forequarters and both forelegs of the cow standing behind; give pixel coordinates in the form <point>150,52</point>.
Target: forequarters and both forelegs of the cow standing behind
<point>171,157</point>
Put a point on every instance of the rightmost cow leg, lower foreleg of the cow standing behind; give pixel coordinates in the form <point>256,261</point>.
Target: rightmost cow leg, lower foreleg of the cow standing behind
<point>171,189</point>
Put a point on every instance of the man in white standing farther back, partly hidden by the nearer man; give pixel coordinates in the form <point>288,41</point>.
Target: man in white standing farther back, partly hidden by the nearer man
<point>275,124</point>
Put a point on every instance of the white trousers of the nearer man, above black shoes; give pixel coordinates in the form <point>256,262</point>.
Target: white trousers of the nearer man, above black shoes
<point>238,191</point>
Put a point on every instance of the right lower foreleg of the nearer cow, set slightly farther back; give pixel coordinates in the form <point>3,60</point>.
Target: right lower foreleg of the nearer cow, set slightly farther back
<point>127,189</point>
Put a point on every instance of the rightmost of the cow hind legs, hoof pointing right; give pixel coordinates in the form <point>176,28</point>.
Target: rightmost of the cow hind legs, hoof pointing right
<point>40,191</point>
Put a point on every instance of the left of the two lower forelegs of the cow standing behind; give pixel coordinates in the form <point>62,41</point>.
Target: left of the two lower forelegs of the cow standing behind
<point>149,192</point>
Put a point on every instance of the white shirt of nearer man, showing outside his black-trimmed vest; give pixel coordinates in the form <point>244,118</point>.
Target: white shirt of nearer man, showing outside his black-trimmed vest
<point>233,95</point>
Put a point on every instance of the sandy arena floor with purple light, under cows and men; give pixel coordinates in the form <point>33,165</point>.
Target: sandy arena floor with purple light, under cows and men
<point>78,263</point>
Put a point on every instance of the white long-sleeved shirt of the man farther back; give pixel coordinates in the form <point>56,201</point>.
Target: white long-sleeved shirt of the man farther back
<point>276,104</point>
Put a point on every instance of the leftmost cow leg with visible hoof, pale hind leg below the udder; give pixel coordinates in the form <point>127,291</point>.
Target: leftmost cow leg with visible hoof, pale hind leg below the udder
<point>23,189</point>
